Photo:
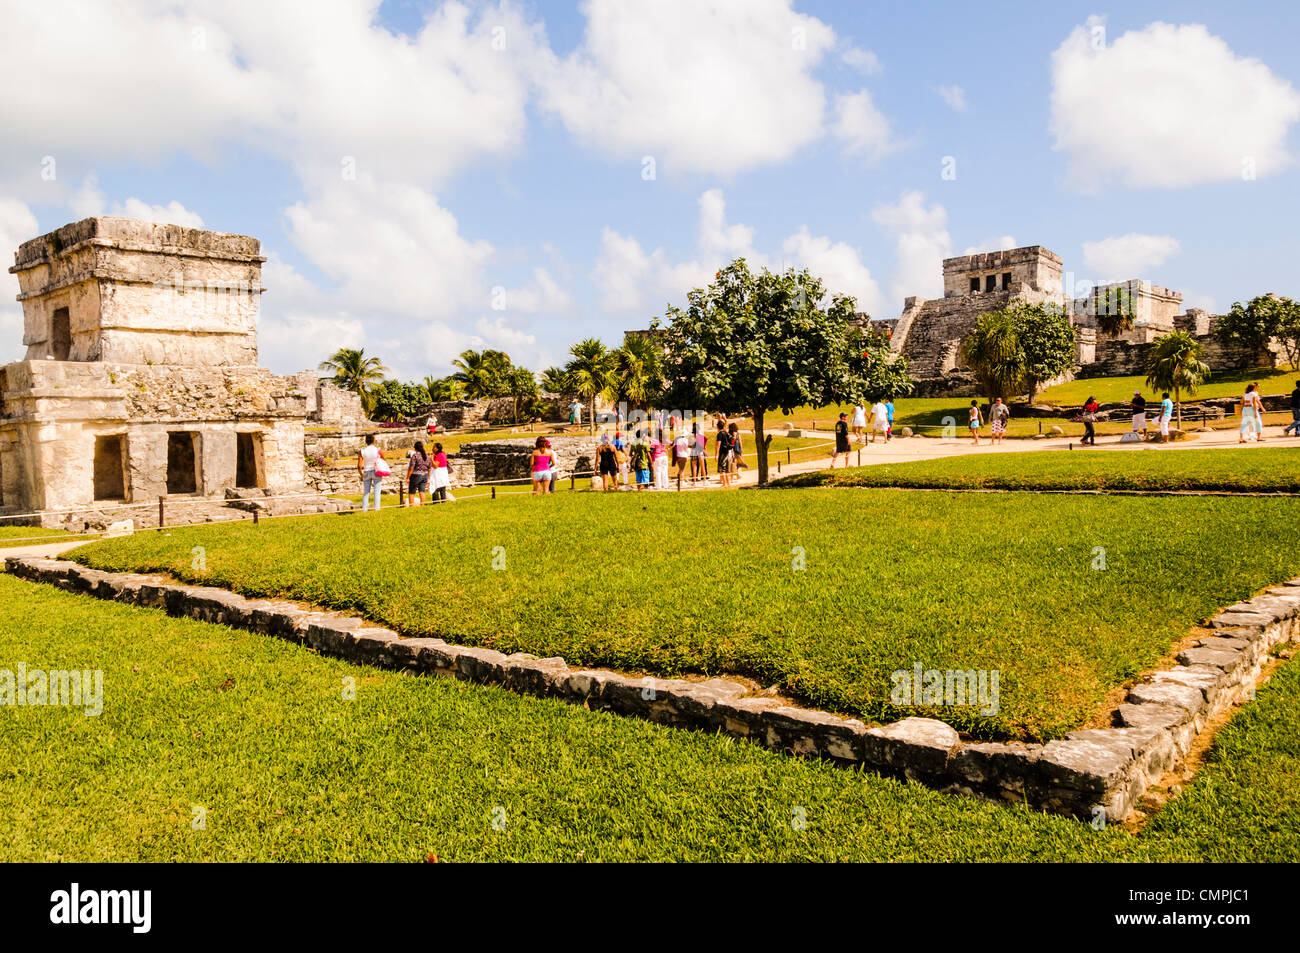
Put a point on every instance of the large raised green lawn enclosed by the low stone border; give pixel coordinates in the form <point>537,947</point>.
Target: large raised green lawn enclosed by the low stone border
<point>707,583</point>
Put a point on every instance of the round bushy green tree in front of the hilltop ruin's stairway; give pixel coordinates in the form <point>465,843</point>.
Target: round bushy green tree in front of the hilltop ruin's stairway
<point>1017,349</point>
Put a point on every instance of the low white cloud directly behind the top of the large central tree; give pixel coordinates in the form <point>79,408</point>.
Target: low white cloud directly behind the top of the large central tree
<point>632,281</point>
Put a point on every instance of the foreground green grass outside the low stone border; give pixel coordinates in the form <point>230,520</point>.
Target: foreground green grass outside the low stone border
<point>257,733</point>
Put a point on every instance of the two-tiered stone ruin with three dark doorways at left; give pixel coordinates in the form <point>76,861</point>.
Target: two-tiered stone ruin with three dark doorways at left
<point>141,379</point>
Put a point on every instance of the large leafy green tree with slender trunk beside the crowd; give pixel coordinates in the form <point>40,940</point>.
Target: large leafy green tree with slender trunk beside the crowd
<point>764,343</point>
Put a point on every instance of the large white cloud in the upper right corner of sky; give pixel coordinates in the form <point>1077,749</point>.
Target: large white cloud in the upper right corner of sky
<point>1167,107</point>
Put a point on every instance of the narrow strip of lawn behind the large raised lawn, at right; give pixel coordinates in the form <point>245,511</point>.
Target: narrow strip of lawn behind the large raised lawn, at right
<point>1251,470</point>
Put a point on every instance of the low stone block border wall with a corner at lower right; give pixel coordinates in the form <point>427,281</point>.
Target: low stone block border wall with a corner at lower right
<point>1091,774</point>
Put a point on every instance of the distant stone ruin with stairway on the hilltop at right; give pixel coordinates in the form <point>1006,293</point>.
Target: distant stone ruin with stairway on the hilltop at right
<point>930,332</point>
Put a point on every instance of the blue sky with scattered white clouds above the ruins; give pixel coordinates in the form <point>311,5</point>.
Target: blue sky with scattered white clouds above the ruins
<point>515,175</point>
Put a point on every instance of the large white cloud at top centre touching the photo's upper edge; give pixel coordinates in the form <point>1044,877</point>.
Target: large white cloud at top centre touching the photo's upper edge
<point>638,84</point>
